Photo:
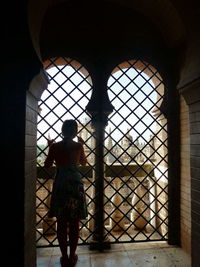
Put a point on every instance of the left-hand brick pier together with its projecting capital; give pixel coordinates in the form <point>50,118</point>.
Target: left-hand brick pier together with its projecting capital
<point>36,86</point>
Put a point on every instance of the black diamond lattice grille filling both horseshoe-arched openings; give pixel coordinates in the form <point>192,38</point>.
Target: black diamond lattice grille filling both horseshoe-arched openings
<point>135,145</point>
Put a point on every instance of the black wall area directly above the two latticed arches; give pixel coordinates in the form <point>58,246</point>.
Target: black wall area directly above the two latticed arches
<point>96,31</point>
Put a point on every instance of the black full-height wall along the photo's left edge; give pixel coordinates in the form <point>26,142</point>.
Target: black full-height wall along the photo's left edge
<point>19,64</point>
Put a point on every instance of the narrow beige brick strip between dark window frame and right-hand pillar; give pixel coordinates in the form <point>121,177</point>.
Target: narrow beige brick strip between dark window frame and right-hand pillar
<point>185,179</point>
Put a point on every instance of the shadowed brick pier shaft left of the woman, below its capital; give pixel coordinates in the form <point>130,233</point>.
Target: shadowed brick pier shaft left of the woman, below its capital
<point>30,175</point>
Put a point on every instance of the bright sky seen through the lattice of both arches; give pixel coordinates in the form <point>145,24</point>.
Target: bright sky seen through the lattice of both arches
<point>75,100</point>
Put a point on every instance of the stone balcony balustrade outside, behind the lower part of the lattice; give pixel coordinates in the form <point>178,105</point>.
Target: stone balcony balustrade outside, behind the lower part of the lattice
<point>135,207</point>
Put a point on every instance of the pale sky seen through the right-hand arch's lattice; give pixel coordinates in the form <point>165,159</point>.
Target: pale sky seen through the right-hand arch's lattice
<point>138,101</point>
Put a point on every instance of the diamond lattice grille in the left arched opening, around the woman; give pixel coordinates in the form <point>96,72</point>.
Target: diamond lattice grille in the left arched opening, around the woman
<point>67,95</point>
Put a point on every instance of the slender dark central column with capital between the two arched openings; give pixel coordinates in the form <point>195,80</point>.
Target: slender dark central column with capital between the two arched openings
<point>99,108</point>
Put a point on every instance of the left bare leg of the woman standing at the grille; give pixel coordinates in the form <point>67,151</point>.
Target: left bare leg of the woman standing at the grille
<point>62,236</point>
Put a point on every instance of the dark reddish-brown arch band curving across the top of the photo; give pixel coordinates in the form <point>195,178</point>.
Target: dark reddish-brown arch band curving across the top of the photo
<point>161,13</point>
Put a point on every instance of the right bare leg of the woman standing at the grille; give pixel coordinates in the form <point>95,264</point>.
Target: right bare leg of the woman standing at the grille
<point>73,237</point>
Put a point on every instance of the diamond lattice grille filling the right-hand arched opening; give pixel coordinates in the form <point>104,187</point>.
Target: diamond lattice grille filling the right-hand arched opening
<point>136,184</point>
